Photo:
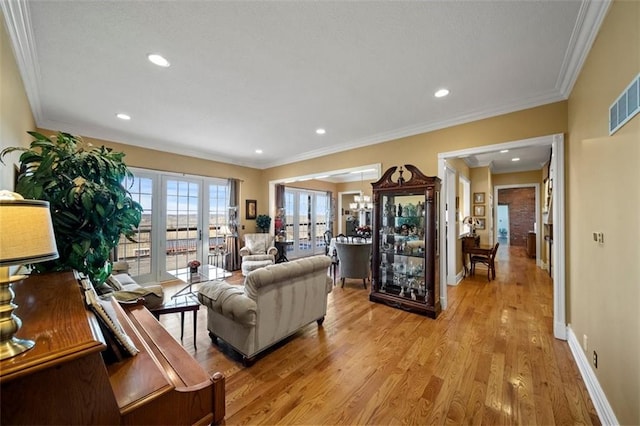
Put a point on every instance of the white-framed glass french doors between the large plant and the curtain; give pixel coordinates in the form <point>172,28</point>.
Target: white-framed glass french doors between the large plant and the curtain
<point>183,219</point>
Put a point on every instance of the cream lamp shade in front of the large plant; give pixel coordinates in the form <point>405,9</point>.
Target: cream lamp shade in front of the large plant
<point>26,231</point>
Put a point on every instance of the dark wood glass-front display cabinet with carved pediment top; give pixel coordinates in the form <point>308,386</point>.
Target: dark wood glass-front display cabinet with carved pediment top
<point>406,261</point>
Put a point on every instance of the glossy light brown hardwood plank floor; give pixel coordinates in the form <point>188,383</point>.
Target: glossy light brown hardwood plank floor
<point>490,358</point>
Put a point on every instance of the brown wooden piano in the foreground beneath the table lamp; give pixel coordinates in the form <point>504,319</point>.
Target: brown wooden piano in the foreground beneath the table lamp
<point>65,380</point>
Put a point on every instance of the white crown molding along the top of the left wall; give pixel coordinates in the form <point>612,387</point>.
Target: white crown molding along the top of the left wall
<point>18,23</point>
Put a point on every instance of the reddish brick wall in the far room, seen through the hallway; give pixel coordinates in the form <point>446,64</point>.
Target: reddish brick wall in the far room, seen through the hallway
<point>522,209</point>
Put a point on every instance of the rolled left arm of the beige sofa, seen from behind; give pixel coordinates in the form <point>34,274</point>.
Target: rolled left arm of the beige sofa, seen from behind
<point>230,301</point>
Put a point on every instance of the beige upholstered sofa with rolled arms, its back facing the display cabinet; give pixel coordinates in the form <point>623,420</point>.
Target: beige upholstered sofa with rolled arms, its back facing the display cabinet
<point>274,303</point>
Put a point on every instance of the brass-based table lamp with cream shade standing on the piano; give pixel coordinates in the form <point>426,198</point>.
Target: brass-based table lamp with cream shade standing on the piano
<point>26,236</point>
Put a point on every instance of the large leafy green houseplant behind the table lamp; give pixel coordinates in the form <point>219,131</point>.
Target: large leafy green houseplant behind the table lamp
<point>90,207</point>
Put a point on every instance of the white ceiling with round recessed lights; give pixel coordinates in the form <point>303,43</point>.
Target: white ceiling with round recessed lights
<point>249,75</point>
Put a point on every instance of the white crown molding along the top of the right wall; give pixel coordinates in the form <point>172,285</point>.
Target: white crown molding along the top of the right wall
<point>584,33</point>
